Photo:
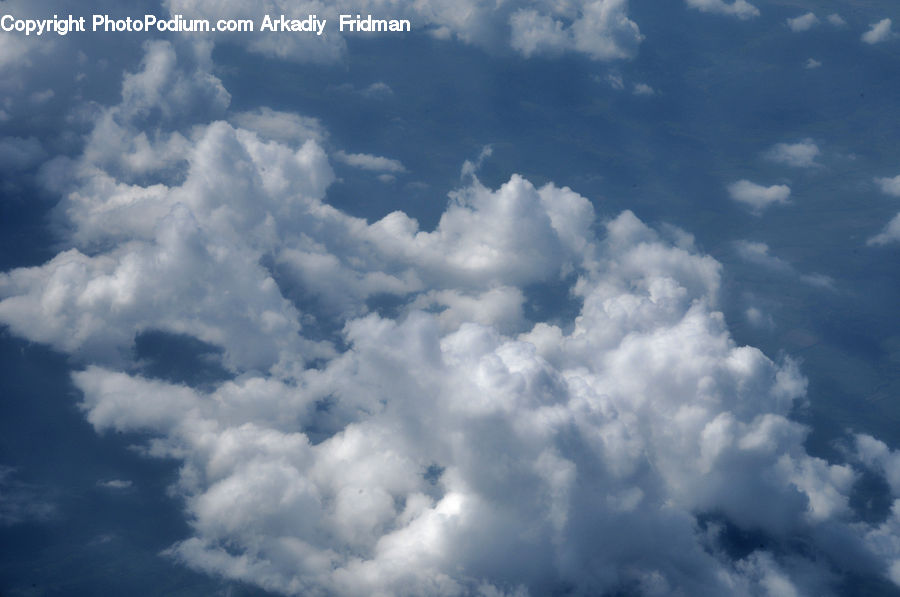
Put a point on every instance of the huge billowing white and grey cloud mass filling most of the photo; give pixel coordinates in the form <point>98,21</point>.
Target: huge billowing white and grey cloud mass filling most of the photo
<point>451,446</point>
